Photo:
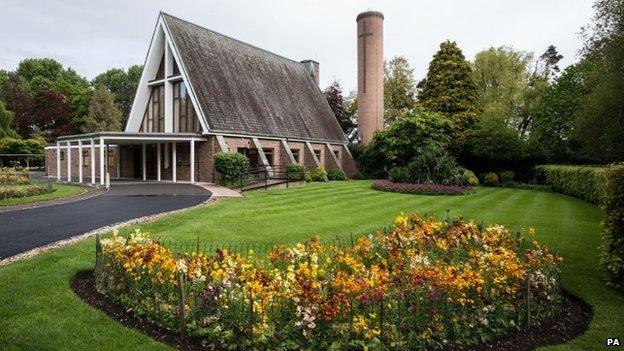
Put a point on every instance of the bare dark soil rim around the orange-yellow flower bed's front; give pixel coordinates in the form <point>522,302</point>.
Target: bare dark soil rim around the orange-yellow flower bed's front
<point>573,321</point>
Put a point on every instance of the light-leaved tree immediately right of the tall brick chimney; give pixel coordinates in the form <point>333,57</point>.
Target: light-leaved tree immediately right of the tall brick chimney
<point>399,88</point>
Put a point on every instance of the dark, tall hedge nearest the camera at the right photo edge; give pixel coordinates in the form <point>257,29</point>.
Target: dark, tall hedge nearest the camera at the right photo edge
<point>613,238</point>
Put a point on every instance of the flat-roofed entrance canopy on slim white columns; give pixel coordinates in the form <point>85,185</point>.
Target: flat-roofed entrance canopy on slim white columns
<point>102,140</point>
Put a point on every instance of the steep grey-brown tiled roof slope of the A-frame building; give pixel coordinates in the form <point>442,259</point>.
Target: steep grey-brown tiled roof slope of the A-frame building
<point>243,89</point>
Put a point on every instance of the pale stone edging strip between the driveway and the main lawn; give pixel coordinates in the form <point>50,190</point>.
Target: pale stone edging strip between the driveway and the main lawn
<point>101,230</point>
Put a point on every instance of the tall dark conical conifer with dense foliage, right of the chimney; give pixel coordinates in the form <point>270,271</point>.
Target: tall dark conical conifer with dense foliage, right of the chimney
<point>449,87</point>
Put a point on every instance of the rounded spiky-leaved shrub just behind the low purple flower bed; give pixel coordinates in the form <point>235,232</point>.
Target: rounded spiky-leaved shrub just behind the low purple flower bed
<point>433,165</point>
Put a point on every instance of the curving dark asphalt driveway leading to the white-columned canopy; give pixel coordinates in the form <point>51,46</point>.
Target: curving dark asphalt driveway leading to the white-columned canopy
<point>23,230</point>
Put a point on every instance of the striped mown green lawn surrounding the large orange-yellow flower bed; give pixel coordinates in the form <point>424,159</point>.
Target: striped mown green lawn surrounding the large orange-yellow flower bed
<point>39,311</point>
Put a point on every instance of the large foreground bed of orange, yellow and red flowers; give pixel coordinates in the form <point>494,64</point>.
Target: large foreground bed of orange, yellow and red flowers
<point>426,284</point>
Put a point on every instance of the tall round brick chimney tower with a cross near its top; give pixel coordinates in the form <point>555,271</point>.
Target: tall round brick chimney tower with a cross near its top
<point>370,74</point>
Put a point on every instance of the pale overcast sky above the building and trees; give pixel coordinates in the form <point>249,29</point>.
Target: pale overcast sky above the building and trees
<point>93,36</point>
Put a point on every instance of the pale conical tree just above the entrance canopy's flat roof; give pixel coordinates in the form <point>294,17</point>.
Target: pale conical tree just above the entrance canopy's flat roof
<point>103,114</point>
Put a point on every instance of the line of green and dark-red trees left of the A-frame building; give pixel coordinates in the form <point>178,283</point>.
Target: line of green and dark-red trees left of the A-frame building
<point>41,99</point>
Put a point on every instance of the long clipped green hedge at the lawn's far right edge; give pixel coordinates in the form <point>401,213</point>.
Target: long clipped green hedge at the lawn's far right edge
<point>584,182</point>
